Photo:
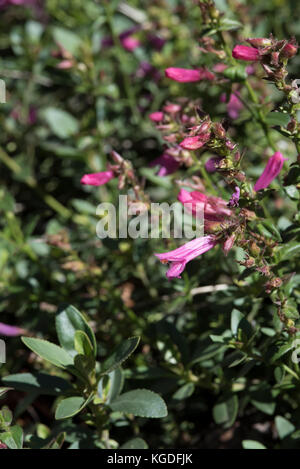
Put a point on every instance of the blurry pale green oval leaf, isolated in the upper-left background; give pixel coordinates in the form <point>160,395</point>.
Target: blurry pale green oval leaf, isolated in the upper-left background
<point>62,124</point>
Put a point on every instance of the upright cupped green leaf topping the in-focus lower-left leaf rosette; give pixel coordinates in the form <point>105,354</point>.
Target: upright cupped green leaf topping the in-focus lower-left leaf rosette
<point>68,321</point>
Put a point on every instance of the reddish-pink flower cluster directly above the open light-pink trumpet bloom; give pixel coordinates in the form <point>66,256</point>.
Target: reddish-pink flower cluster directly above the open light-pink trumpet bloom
<point>215,208</point>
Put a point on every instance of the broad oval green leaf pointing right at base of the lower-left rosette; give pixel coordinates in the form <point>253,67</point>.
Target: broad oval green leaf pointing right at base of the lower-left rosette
<point>141,403</point>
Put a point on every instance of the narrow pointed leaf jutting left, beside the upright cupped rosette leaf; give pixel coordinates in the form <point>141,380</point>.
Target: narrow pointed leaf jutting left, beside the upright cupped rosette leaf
<point>50,352</point>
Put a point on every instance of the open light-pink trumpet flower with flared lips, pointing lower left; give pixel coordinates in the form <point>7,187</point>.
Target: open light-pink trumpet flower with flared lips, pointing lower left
<point>181,256</point>
